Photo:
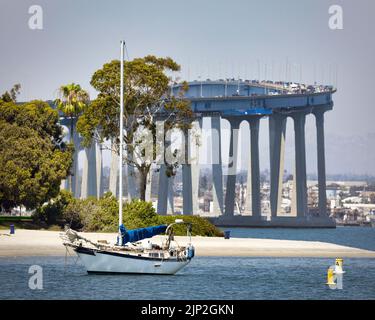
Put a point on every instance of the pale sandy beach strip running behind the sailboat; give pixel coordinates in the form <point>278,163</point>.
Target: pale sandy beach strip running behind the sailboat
<point>48,243</point>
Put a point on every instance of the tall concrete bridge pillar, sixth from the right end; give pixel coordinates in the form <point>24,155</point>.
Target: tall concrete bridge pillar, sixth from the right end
<point>217,170</point>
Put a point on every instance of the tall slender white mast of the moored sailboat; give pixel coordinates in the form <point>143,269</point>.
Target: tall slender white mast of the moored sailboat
<point>121,137</point>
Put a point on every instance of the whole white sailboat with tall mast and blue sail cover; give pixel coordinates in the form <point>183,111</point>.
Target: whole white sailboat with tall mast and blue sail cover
<point>132,253</point>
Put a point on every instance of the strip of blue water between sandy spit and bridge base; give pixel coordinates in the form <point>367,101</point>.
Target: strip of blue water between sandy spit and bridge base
<point>358,237</point>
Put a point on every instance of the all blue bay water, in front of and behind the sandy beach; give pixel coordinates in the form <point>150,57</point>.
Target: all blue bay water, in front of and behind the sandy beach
<point>208,278</point>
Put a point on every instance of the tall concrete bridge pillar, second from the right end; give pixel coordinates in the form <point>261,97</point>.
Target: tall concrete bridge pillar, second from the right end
<point>300,164</point>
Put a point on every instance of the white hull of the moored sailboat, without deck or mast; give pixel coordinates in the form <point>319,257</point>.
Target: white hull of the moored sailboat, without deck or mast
<point>117,263</point>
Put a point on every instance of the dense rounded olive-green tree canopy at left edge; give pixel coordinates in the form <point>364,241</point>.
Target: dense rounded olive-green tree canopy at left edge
<point>33,158</point>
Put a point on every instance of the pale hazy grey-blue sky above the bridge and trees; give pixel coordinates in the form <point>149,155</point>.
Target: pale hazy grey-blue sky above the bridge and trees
<point>213,39</point>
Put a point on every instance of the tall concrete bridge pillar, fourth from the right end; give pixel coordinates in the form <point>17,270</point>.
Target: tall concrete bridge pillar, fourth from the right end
<point>253,198</point>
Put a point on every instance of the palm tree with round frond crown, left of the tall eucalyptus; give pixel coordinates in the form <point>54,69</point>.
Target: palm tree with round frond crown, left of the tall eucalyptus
<point>71,102</point>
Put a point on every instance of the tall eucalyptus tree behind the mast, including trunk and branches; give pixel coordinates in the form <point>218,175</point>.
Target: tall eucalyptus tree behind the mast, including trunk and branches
<point>147,94</point>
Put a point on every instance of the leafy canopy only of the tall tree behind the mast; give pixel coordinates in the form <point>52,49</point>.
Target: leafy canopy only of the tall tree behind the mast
<point>146,92</point>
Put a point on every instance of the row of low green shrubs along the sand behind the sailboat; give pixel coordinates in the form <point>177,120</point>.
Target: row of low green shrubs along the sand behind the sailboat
<point>101,215</point>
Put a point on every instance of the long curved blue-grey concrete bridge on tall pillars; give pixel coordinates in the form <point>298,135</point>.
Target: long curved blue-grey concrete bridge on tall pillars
<point>237,101</point>
